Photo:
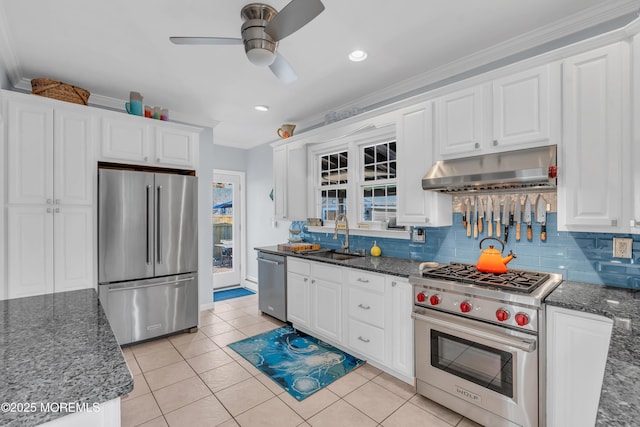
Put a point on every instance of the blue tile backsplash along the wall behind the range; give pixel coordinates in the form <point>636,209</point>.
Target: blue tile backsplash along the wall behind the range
<point>584,257</point>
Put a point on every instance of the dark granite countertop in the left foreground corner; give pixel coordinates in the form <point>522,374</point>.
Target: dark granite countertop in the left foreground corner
<point>57,349</point>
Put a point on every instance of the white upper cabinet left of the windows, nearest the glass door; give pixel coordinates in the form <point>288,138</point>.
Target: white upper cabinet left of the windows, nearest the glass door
<point>290,182</point>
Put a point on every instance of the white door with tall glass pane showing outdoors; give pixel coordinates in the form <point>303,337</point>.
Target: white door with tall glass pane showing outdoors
<point>226,224</point>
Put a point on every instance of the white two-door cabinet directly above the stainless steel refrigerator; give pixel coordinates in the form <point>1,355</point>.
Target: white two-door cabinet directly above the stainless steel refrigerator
<point>143,141</point>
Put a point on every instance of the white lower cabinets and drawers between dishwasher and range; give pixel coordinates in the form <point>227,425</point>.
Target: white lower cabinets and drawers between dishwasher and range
<point>364,313</point>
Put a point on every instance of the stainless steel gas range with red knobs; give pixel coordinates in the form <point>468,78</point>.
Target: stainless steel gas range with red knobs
<point>478,337</point>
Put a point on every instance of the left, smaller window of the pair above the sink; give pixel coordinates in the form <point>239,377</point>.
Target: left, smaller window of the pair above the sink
<point>333,184</point>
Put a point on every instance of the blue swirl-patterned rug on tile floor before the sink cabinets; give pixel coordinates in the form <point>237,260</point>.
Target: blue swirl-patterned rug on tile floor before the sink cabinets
<point>297,362</point>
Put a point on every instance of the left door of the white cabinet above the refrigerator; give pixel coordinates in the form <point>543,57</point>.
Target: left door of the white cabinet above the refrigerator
<point>125,139</point>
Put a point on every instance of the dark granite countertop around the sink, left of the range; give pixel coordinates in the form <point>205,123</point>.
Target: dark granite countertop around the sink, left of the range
<point>385,265</point>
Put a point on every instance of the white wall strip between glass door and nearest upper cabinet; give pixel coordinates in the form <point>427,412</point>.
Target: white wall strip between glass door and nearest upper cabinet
<point>260,227</point>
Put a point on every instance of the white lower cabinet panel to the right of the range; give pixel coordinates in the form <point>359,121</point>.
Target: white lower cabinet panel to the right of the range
<point>577,347</point>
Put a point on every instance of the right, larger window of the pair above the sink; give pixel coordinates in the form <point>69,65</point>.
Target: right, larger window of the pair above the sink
<point>378,182</point>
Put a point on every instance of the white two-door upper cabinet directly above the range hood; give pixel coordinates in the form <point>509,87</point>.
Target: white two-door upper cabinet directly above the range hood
<point>521,110</point>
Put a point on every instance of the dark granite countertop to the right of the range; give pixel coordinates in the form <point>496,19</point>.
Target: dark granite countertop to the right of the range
<point>620,396</point>
